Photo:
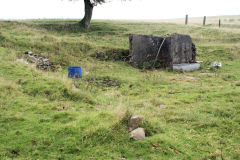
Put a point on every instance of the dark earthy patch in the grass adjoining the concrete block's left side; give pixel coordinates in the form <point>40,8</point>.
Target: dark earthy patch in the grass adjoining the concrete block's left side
<point>112,54</point>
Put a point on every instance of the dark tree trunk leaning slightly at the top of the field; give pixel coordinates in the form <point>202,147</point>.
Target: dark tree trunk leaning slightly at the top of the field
<point>85,22</point>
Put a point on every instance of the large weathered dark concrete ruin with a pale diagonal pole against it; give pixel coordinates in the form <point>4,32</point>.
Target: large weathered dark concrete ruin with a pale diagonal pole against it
<point>151,51</point>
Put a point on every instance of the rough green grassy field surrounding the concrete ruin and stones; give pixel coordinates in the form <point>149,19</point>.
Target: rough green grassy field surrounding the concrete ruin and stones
<point>45,115</point>
